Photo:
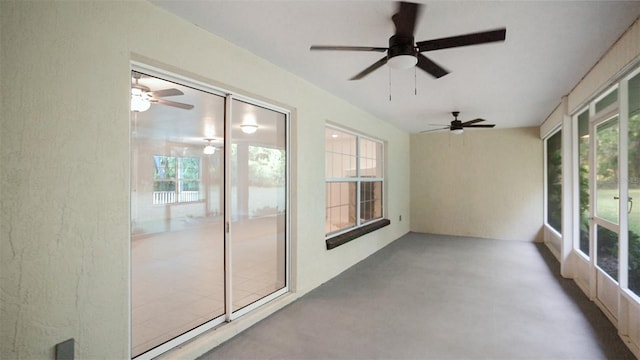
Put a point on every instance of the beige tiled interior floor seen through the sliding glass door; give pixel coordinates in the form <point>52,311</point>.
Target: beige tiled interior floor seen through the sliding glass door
<point>178,277</point>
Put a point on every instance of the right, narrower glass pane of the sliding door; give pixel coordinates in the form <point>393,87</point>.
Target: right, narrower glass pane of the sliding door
<point>258,203</point>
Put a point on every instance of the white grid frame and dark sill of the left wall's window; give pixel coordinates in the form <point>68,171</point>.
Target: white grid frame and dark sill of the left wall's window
<point>361,226</point>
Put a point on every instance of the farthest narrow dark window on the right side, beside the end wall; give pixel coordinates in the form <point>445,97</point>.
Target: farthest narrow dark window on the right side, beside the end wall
<point>554,180</point>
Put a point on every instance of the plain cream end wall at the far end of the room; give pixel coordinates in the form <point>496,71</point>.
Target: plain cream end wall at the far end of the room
<point>481,183</point>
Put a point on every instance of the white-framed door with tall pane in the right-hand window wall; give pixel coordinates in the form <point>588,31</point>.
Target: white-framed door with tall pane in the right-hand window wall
<point>604,221</point>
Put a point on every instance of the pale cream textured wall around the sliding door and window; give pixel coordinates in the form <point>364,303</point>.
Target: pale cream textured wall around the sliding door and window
<point>65,169</point>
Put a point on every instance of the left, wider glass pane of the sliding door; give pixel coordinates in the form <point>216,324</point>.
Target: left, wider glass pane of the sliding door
<point>177,239</point>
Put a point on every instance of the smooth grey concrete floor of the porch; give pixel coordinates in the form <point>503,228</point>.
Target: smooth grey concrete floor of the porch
<point>438,297</point>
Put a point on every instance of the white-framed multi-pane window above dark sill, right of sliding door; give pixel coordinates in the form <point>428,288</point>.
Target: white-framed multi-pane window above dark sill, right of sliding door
<point>354,181</point>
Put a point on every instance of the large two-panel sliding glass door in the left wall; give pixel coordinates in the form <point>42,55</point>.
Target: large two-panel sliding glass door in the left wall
<point>208,209</point>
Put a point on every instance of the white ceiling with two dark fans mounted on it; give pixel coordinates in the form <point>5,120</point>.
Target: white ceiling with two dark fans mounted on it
<point>549,47</point>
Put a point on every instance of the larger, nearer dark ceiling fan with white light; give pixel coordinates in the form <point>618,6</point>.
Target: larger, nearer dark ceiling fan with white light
<point>403,52</point>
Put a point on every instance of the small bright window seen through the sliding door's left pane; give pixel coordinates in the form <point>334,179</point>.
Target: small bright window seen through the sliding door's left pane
<point>176,179</point>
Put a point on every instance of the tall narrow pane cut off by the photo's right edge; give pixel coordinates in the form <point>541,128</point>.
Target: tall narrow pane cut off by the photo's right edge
<point>634,184</point>
